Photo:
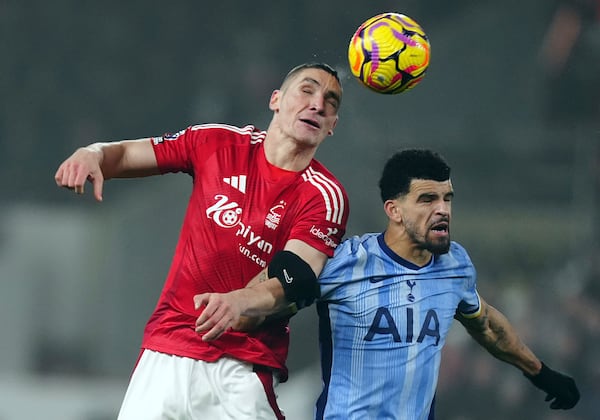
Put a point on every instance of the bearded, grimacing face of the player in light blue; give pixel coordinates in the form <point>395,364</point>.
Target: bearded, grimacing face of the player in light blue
<point>426,212</point>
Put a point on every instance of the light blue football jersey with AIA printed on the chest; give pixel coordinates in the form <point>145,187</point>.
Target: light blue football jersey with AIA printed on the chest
<point>383,323</point>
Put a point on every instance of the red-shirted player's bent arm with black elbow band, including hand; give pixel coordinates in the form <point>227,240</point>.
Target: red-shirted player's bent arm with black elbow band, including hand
<point>264,295</point>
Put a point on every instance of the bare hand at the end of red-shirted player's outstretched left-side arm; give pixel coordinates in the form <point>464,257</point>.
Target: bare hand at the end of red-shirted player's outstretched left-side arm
<point>81,166</point>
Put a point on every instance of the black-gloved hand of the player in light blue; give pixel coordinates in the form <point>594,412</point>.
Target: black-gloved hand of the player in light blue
<point>561,389</point>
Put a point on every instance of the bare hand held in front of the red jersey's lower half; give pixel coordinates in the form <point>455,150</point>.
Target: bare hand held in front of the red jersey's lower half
<point>221,312</point>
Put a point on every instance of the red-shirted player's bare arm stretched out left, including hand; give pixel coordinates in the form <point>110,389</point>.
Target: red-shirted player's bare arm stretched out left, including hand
<point>101,161</point>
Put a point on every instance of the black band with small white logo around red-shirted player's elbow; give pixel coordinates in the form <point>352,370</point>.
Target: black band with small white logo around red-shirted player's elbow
<point>297,278</point>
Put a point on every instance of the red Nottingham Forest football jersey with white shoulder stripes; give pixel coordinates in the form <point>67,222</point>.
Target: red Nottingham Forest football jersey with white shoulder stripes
<point>242,211</point>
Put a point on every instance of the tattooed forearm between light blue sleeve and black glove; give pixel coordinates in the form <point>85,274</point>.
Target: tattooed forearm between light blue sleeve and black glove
<point>495,333</point>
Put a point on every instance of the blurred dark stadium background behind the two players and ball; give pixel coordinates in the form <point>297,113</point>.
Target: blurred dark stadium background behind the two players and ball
<point>79,279</point>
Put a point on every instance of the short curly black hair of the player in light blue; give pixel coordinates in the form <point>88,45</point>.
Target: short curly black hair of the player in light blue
<point>409,164</point>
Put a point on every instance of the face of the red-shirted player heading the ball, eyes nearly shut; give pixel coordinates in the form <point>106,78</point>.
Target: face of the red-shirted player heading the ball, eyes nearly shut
<point>306,106</point>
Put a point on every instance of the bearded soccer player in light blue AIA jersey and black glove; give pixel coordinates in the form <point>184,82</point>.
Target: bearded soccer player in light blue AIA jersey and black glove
<point>388,300</point>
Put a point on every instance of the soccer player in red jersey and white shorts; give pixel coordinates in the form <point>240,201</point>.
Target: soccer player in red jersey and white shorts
<point>261,208</point>
